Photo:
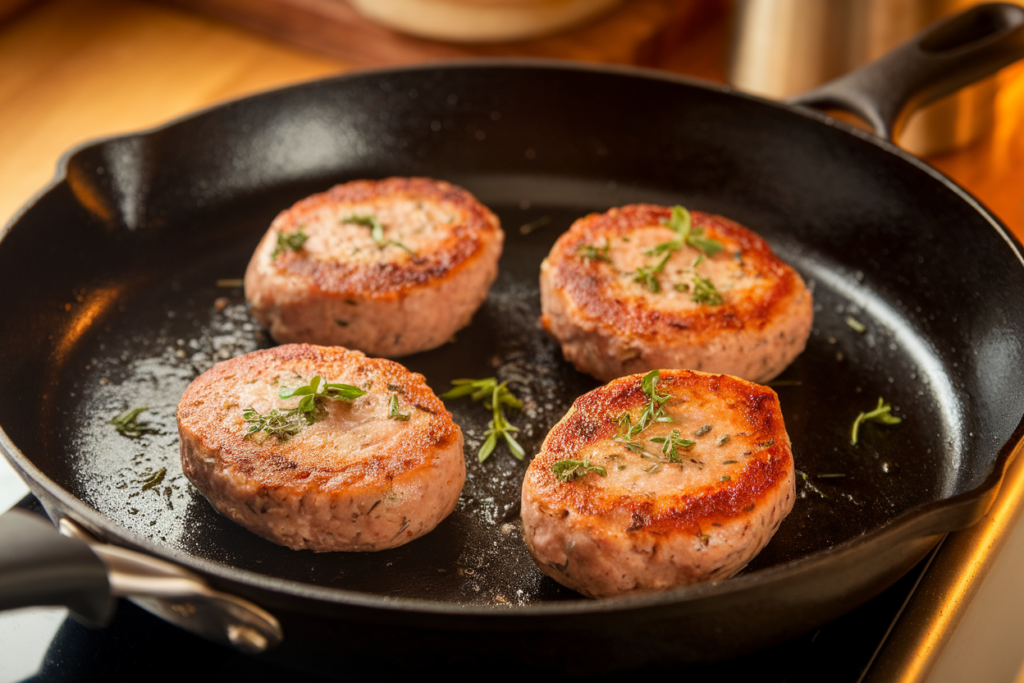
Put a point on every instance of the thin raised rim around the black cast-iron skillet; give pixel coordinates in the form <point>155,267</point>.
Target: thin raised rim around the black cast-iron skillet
<point>913,524</point>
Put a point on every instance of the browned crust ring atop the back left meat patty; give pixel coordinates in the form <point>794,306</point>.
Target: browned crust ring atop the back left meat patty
<point>392,279</point>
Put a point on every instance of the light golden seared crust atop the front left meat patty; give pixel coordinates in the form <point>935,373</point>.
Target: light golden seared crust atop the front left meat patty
<point>309,461</point>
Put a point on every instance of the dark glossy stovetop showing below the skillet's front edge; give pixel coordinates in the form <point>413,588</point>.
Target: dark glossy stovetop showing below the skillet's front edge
<point>46,646</point>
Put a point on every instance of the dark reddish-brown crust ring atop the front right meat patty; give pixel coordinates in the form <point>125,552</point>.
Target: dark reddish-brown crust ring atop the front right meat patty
<point>767,466</point>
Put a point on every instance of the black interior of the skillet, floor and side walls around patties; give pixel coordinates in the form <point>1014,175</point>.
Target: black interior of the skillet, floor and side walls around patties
<point>116,271</point>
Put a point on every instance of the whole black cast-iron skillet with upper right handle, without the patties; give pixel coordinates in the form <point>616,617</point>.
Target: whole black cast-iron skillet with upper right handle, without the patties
<point>112,302</point>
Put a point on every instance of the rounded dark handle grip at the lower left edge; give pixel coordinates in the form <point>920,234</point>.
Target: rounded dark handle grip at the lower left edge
<point>38,567</point>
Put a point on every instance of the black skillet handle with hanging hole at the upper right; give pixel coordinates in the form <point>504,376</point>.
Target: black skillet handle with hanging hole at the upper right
<point>941,60</point>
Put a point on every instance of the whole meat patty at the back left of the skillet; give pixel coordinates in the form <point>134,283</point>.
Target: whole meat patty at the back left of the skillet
<point>323,275</point>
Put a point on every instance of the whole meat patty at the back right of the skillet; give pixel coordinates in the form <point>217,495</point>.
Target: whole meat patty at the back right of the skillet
<point>610,325</point>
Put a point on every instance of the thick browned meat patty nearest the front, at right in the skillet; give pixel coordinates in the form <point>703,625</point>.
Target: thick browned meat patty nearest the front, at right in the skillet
<point>649,525</point>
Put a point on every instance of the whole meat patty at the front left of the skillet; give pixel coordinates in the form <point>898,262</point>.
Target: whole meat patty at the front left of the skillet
<point>359,479</point>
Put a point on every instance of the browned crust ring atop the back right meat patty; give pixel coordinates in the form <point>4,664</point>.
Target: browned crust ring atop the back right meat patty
<point>595,287</point>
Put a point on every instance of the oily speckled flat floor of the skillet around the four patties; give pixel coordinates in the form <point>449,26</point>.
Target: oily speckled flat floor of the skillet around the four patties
<point>173,326</point>
